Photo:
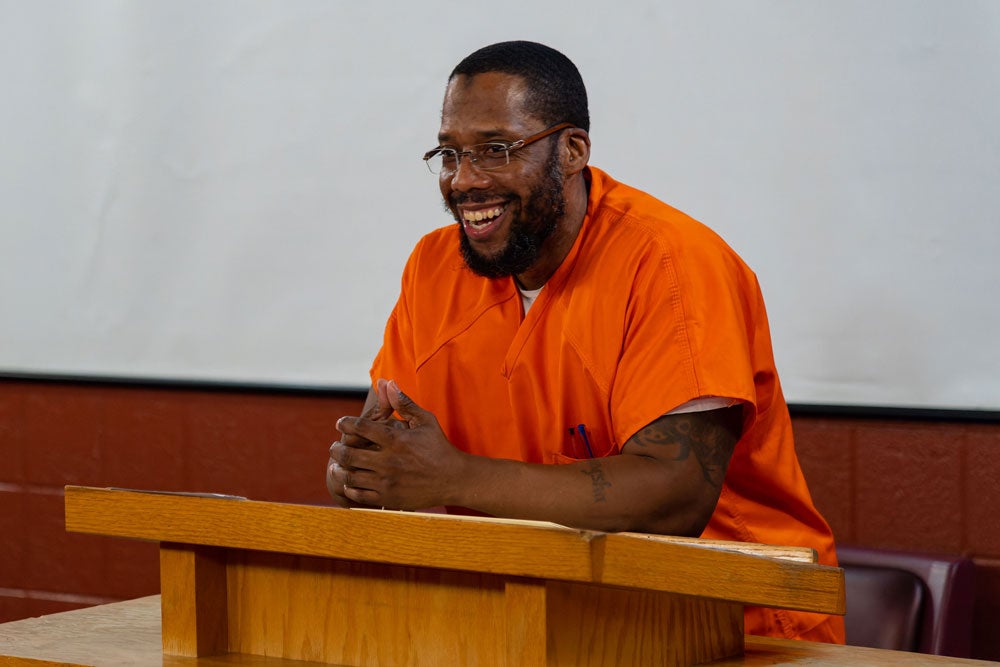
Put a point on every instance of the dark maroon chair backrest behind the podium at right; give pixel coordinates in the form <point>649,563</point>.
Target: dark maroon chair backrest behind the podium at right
<point>908,601</point>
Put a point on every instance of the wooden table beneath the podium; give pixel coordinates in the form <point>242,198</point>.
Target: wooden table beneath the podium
<point>127,634</point>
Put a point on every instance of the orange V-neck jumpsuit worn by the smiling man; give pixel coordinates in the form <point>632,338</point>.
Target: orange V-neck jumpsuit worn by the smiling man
<point>649,310</point>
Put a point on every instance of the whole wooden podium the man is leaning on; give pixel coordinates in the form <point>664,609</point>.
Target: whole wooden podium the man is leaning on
<point>357,587</point>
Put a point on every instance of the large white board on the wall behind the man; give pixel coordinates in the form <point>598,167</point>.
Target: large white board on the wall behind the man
<point>227,191</point>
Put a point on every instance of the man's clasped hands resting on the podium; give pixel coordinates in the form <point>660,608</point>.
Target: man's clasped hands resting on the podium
<point>395,463</point>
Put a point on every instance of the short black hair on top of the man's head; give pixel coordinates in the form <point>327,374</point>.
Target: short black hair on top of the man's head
<point>556,93</point>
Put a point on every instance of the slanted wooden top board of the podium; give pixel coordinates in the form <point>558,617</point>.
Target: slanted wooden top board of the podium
<point>513,548</point>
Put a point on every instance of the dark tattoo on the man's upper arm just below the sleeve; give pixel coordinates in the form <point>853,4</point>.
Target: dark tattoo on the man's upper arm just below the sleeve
<point>709,435</point>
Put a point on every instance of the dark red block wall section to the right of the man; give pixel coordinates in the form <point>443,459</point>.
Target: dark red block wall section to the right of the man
<point>913,485</point>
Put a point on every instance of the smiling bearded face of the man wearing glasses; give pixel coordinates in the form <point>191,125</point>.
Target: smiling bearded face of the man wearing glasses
<point>518,206</point>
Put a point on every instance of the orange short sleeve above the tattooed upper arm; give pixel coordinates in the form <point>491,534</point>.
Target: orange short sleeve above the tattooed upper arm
<point>687,333</point>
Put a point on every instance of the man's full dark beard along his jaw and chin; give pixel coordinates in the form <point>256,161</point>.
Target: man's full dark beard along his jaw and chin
<point>544,207</point>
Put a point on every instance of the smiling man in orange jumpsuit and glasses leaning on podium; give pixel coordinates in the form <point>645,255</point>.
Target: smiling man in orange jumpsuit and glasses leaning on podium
<point>569,319</point>
